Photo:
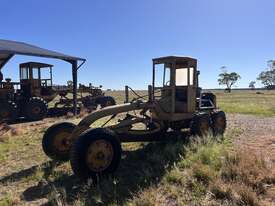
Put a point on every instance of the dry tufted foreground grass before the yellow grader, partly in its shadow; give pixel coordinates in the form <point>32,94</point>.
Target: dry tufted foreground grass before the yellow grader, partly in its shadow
<point>205,172</point>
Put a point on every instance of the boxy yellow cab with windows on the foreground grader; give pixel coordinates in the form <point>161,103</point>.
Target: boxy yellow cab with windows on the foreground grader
<point>178,92</point>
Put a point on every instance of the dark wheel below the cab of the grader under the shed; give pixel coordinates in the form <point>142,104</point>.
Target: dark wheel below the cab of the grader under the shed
<point>36,109</point>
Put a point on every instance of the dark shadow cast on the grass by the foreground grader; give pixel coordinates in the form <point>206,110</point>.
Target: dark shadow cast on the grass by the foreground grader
<point>138,170</point>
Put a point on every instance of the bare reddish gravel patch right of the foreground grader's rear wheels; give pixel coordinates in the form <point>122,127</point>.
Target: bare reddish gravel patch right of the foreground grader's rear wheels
<point>258,136</point>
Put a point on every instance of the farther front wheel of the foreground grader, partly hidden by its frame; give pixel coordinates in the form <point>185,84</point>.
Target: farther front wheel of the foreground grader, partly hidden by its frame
<point>56,142</point>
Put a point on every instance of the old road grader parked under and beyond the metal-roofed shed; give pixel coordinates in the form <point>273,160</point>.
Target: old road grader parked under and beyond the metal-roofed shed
<point>29,98</point>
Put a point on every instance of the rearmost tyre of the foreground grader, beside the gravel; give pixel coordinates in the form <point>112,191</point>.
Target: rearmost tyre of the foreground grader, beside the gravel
<point>218,123</point>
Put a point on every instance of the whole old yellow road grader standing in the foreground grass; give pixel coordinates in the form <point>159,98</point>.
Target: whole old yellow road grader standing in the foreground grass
<point>174,105</point>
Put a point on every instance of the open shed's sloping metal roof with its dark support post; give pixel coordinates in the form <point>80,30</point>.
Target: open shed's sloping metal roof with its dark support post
<point>10,48</point>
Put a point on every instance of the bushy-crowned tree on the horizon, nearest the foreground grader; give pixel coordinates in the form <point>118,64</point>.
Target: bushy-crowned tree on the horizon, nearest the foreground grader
<point>228,78</point>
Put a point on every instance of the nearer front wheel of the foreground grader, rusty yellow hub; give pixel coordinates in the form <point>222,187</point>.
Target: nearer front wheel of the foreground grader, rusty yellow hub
<point>96,153</point>
